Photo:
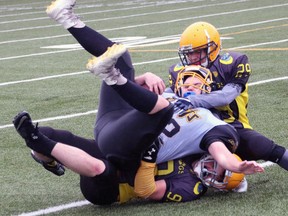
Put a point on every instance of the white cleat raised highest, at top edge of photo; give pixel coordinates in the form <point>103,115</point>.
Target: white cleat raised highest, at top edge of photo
<point>62,12</point>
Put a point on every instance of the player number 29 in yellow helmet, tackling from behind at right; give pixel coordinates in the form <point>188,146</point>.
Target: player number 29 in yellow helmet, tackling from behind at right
<point>200,44</point>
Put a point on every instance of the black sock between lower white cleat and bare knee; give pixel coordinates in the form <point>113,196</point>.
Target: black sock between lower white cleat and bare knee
<point>137,96</point>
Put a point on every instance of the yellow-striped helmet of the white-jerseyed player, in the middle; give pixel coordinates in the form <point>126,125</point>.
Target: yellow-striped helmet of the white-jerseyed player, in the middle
<point>202,74</point>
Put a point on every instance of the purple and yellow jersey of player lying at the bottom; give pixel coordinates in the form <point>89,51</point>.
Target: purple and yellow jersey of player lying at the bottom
<point>182,184</point>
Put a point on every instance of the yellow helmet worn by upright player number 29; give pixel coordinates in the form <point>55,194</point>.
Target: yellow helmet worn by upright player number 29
<point>196,37</point>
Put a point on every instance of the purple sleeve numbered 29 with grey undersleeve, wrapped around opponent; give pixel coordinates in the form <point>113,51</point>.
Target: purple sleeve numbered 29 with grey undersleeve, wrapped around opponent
<point>231,72</point>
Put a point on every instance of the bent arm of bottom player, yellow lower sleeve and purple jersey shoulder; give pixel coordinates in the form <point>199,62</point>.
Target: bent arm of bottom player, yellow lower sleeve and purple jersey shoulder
<point>182,186</point>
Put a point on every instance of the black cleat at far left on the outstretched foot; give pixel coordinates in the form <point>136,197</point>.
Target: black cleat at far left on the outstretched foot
<point>24,126</point>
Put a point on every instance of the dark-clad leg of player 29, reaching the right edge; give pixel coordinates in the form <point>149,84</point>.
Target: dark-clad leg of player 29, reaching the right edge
<point>255,146</point>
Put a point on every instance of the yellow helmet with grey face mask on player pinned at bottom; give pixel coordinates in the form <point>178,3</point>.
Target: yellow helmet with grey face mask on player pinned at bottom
<point>206,170</point>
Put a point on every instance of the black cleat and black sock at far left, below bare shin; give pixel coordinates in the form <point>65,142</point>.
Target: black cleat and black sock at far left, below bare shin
<point>30,133</point>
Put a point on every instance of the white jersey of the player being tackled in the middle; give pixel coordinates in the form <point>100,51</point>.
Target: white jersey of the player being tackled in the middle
<point>183,135</point>
